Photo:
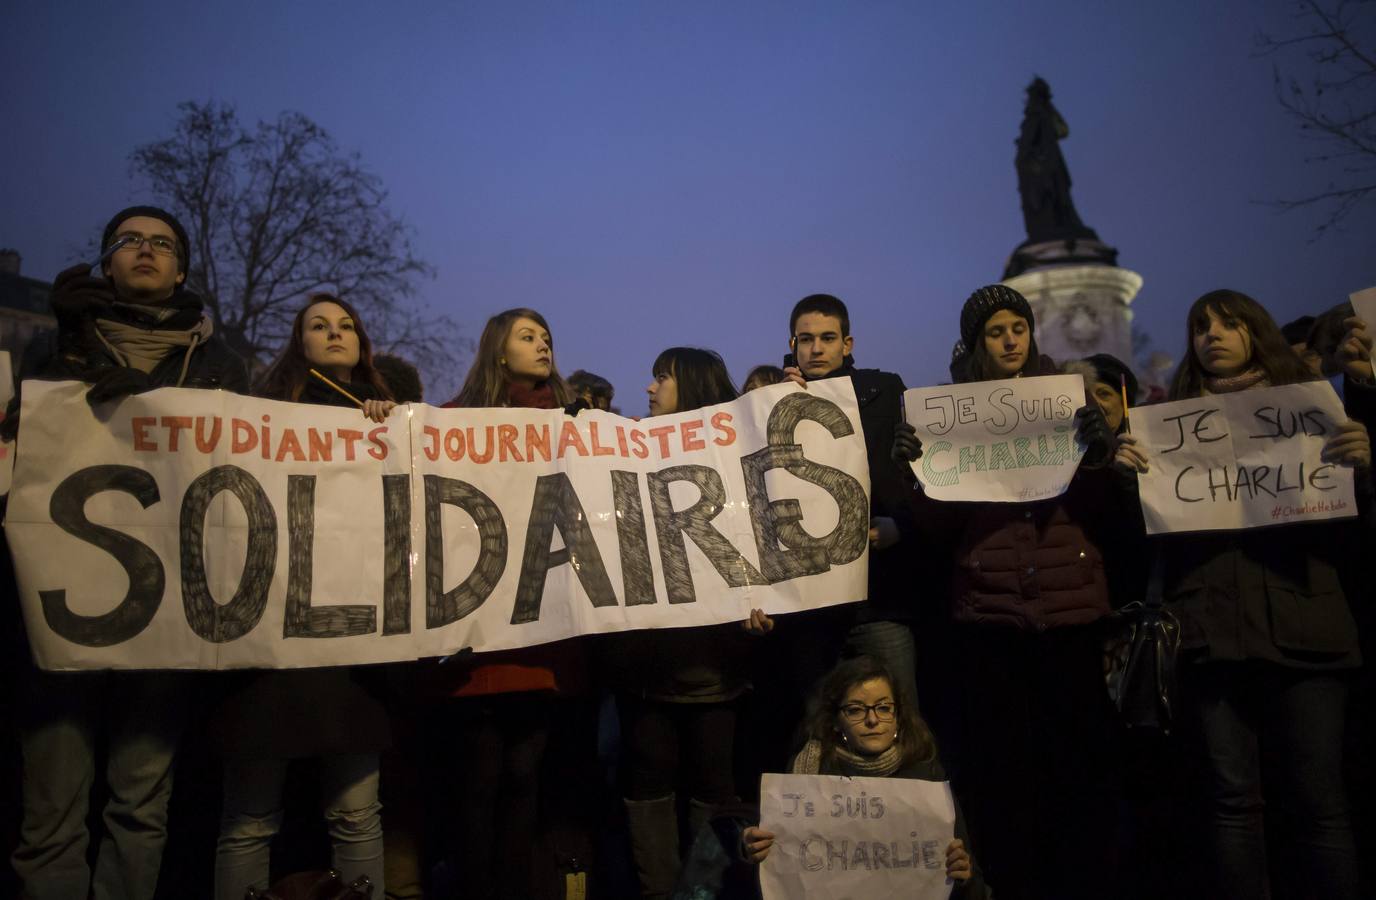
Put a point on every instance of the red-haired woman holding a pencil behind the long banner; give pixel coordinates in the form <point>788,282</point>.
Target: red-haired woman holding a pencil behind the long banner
<point>308,714</point>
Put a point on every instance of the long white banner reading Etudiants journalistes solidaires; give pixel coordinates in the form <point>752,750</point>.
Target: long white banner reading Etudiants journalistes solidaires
<point>206,531</point>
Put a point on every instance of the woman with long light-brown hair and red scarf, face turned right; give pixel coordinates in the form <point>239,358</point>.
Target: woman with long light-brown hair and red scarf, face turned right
<point>499,709</point>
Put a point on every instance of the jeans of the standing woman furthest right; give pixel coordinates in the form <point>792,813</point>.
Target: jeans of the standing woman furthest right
<point>1250,711</point>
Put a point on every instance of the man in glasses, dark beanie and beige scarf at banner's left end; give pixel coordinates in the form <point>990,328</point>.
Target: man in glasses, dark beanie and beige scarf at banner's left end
<point>136,330</point>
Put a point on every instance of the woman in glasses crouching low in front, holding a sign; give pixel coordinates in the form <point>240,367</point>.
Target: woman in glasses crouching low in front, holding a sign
<point>859,726</point>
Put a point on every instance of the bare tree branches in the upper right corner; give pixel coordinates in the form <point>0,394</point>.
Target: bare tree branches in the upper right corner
<point>1335,103</point>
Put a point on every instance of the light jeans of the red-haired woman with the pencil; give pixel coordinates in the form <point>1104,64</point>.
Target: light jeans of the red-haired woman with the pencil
<point>252,817</point>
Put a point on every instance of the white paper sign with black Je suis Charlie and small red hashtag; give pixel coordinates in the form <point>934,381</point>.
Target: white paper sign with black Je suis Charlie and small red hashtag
<point>1242,460</point>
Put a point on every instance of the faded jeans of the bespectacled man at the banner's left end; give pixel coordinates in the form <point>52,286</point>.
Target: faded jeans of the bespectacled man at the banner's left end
<point>63,720</point>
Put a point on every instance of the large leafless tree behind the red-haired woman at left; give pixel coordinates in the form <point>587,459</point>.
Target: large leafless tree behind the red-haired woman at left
<point>277,213</point>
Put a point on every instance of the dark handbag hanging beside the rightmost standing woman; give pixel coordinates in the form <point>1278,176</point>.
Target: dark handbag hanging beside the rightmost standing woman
<point>1143,669</point>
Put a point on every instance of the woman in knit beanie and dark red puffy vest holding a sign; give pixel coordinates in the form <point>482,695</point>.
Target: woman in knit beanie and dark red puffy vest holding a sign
<point>1029,592</point>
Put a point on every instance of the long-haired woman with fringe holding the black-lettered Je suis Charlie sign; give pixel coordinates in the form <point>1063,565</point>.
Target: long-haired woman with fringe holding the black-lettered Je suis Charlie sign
<point>1268,636</point>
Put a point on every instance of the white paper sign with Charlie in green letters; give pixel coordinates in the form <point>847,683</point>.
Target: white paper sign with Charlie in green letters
<point>1009,441</point>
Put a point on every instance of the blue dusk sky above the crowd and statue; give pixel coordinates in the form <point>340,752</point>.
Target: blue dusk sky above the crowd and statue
<point>652,174</point>
